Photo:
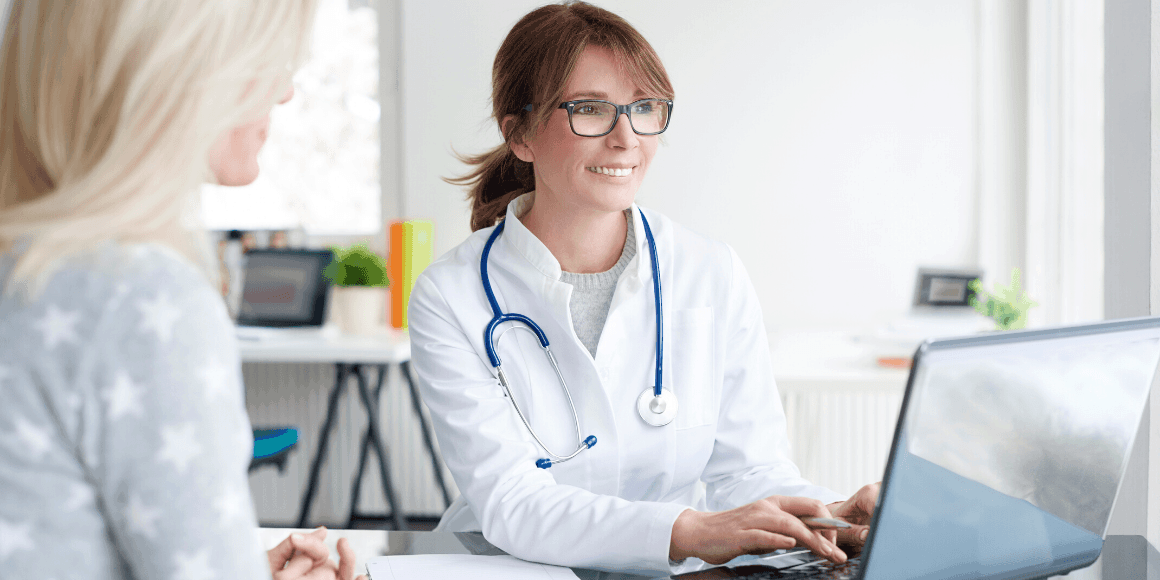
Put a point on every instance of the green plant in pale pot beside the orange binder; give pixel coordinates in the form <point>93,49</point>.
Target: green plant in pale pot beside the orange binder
<point>360,298</point>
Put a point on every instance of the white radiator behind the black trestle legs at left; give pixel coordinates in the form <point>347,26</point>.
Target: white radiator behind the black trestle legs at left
<point>281,395</point>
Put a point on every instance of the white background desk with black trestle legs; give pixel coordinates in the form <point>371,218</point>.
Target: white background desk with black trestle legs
<point>352,357</point>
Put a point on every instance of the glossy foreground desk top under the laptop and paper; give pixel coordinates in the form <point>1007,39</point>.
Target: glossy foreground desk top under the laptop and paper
<point>1123,557</point>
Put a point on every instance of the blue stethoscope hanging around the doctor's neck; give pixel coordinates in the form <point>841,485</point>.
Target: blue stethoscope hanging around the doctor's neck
<point>656,405</point>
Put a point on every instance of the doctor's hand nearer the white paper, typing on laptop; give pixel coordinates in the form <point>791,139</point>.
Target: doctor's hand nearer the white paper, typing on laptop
<point>758,528</point>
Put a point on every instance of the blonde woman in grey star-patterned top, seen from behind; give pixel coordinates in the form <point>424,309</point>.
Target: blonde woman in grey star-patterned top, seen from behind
<point>124,437</point>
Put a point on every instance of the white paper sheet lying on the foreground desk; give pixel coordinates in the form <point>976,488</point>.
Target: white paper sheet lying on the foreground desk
<point>462,567</point>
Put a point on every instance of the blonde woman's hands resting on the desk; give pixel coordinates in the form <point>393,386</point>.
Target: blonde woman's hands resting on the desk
<point>306,557</point>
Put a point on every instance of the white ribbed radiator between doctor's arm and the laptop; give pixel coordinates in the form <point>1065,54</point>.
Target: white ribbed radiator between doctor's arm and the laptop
<point>842,439</point>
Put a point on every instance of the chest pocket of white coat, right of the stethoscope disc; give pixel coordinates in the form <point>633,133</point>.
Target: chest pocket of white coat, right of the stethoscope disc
<point>693,367</point>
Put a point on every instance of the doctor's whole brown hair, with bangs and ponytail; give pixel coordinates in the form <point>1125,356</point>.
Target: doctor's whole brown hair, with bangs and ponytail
<point>533,67</point>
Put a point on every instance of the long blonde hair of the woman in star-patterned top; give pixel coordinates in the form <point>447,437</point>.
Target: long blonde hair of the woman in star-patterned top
<point>110,110</point>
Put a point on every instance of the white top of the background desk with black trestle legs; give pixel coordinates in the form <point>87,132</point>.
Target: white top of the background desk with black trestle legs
<point>387,346</point>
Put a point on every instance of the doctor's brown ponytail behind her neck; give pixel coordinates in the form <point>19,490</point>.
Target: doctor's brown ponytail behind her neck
<point>499,178</point>
